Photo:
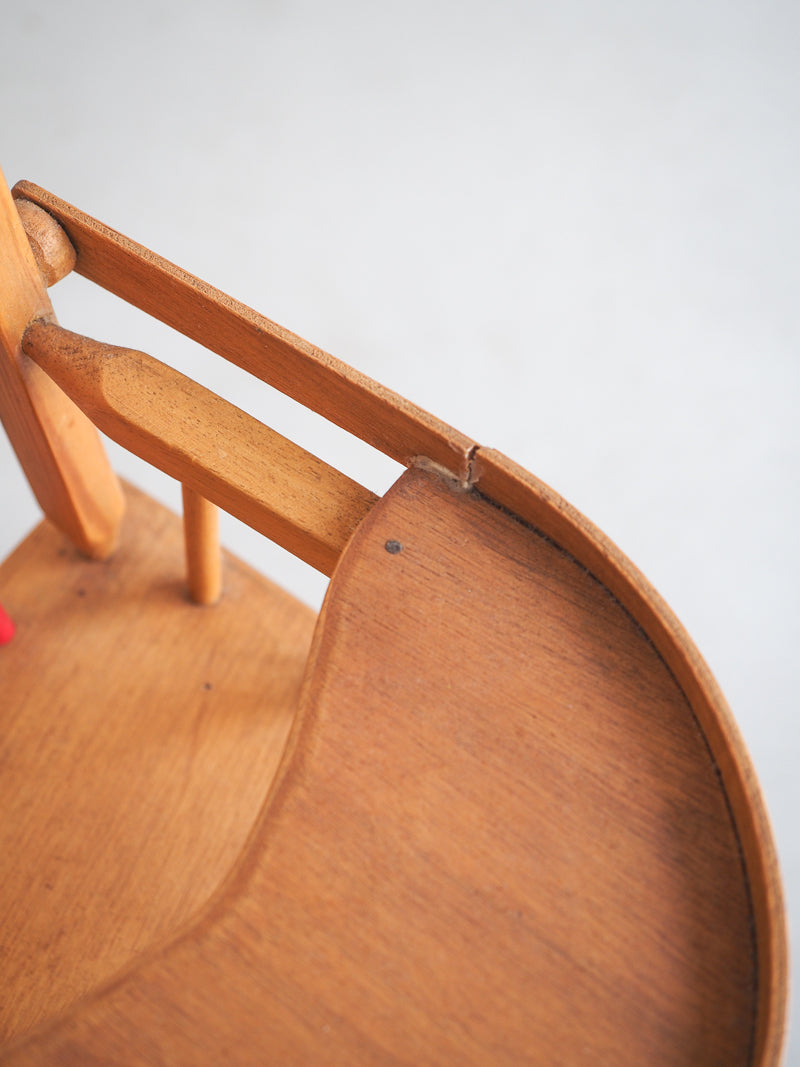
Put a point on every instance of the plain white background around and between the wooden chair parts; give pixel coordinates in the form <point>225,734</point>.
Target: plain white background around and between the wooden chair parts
<point>570,230</point>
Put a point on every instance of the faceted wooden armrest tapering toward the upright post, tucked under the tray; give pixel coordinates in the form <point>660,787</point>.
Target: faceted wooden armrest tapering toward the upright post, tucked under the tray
<point>210,445</point>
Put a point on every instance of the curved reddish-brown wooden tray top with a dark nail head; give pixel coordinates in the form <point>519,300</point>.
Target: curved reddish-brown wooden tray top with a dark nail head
<point>499,836</point>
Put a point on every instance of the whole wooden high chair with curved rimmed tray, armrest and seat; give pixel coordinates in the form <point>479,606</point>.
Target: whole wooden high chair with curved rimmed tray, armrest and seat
<point>490,807</point>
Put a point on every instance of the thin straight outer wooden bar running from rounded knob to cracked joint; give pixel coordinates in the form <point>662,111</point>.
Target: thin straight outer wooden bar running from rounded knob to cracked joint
<point>252,342</point>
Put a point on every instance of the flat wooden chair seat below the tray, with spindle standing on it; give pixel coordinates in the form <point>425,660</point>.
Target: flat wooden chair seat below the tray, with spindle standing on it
<point>139,736</point>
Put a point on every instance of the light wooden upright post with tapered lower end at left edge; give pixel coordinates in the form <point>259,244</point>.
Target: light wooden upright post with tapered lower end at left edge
<point>58,448</point>
